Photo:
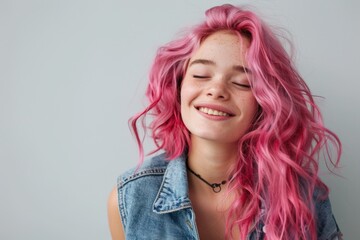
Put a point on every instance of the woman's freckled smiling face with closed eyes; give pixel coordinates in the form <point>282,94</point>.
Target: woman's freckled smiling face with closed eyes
<point>217,103</point>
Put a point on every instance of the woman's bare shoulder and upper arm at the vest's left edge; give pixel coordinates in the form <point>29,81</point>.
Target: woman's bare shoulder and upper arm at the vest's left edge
<point>116,228</point>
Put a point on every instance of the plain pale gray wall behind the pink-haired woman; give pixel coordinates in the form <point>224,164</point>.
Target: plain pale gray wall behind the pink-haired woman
<point>72,72</point>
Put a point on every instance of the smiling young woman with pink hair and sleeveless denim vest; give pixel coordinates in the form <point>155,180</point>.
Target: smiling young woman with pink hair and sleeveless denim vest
<point>240,135</point>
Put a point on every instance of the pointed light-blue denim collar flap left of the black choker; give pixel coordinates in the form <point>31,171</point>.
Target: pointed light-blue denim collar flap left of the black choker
<point>173,193</point>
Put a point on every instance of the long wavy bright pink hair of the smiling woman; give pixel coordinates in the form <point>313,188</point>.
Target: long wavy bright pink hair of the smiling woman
<point>277,168</point>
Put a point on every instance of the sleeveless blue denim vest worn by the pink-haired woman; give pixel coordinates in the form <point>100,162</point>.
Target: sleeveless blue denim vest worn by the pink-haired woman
<point>154,204</point>
